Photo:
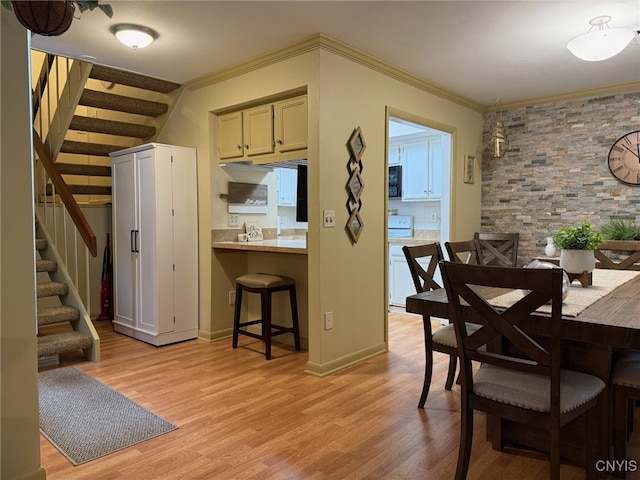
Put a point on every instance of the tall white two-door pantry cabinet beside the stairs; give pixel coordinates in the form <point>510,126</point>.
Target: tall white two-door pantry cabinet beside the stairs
<point>155,232</point>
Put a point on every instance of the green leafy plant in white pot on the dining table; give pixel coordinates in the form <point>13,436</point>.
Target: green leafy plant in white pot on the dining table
<point>577,244</point>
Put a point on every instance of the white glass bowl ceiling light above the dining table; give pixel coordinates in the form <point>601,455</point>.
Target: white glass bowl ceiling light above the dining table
<point>601,41</point>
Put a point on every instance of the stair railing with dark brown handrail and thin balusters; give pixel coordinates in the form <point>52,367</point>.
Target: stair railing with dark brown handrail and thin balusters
<point>56,94</point>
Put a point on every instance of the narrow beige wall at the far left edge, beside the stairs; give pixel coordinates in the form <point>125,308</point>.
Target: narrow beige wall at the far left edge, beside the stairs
<point>19,434</point>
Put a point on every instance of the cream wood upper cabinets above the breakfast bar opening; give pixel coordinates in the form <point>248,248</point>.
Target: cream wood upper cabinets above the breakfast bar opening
<point>266,133</point>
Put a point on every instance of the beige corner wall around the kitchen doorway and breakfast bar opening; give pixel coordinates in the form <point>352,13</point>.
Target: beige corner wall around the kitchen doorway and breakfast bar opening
<point>348,280</point>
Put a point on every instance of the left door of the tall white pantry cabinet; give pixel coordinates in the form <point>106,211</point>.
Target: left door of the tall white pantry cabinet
<point>125,226</point>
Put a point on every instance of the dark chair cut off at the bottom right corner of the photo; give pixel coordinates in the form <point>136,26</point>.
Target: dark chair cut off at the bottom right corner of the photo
<point>626,389</point>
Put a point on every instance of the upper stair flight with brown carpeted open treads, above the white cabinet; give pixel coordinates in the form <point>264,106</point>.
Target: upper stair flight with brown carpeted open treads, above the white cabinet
<point>114,121</point>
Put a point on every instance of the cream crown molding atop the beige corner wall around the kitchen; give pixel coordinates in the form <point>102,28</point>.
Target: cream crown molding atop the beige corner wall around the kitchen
<point>323,42</point>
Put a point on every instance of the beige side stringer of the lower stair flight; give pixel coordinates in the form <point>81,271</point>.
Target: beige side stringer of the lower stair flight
<point>73,298</point>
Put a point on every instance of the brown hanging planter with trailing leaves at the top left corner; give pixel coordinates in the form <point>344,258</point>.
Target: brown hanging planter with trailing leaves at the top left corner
<point>51,17</point>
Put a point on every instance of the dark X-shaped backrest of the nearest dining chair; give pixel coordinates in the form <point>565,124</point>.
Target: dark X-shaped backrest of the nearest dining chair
<point>466,289</point>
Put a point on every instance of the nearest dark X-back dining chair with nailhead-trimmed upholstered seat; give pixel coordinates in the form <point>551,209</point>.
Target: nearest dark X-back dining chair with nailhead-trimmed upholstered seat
<point>523,384</point>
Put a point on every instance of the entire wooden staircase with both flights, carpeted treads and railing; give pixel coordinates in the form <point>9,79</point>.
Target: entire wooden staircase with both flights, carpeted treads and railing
<point>105,110</point>
